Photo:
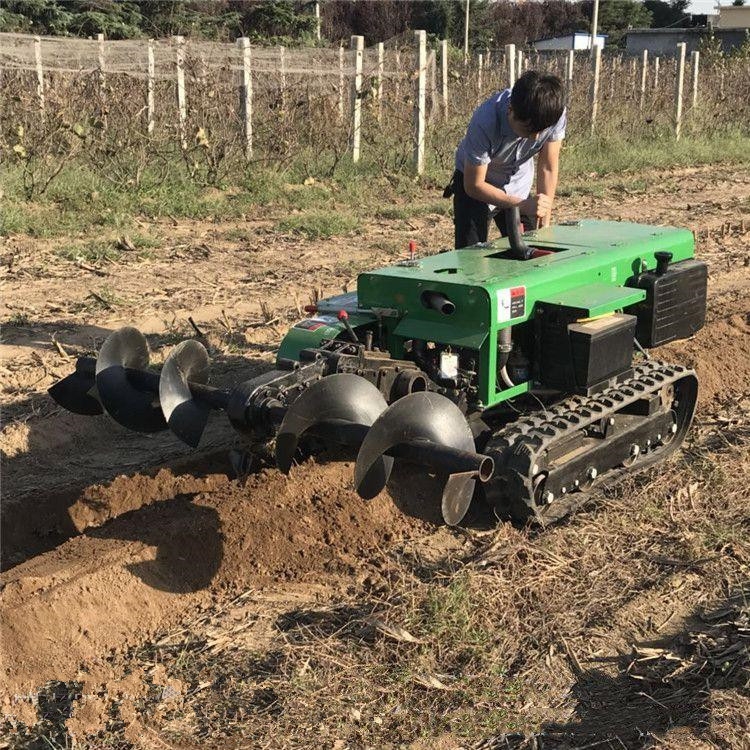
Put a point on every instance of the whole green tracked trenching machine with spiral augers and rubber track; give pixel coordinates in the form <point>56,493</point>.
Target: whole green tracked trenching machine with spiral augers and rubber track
<point>518,370</point>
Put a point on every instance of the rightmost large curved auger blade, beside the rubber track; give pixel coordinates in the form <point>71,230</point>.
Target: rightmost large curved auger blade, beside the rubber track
<point>417,424</point>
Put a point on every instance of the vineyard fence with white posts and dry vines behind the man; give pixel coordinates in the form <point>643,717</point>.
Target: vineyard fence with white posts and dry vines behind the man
<point>128,106</point>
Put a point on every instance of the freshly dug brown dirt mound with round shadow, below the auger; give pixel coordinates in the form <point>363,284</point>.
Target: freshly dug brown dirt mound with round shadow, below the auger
<point>146,570</point>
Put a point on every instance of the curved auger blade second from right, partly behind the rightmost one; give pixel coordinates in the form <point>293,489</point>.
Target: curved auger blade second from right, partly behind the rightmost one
<point>344,405</point>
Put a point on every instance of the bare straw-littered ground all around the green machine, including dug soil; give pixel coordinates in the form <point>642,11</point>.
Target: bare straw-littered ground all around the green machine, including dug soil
<point>287,612</point>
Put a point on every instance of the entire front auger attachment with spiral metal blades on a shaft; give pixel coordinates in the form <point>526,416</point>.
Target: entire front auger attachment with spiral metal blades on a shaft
<point>312,398</point>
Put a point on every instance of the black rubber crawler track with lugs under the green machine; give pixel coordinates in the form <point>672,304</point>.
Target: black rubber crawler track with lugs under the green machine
<point>521,445</point>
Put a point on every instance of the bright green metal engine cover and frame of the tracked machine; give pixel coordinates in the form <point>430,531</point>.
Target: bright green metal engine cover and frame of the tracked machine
<point>588,269</point>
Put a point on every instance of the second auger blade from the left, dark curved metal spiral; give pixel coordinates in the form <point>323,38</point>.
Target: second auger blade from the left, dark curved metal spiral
<point>132,408</point>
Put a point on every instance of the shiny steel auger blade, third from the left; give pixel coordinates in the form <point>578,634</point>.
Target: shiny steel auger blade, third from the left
<point>186,416</point>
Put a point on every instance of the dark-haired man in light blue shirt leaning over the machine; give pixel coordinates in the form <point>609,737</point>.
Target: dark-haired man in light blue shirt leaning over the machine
<point>495,159</point>
